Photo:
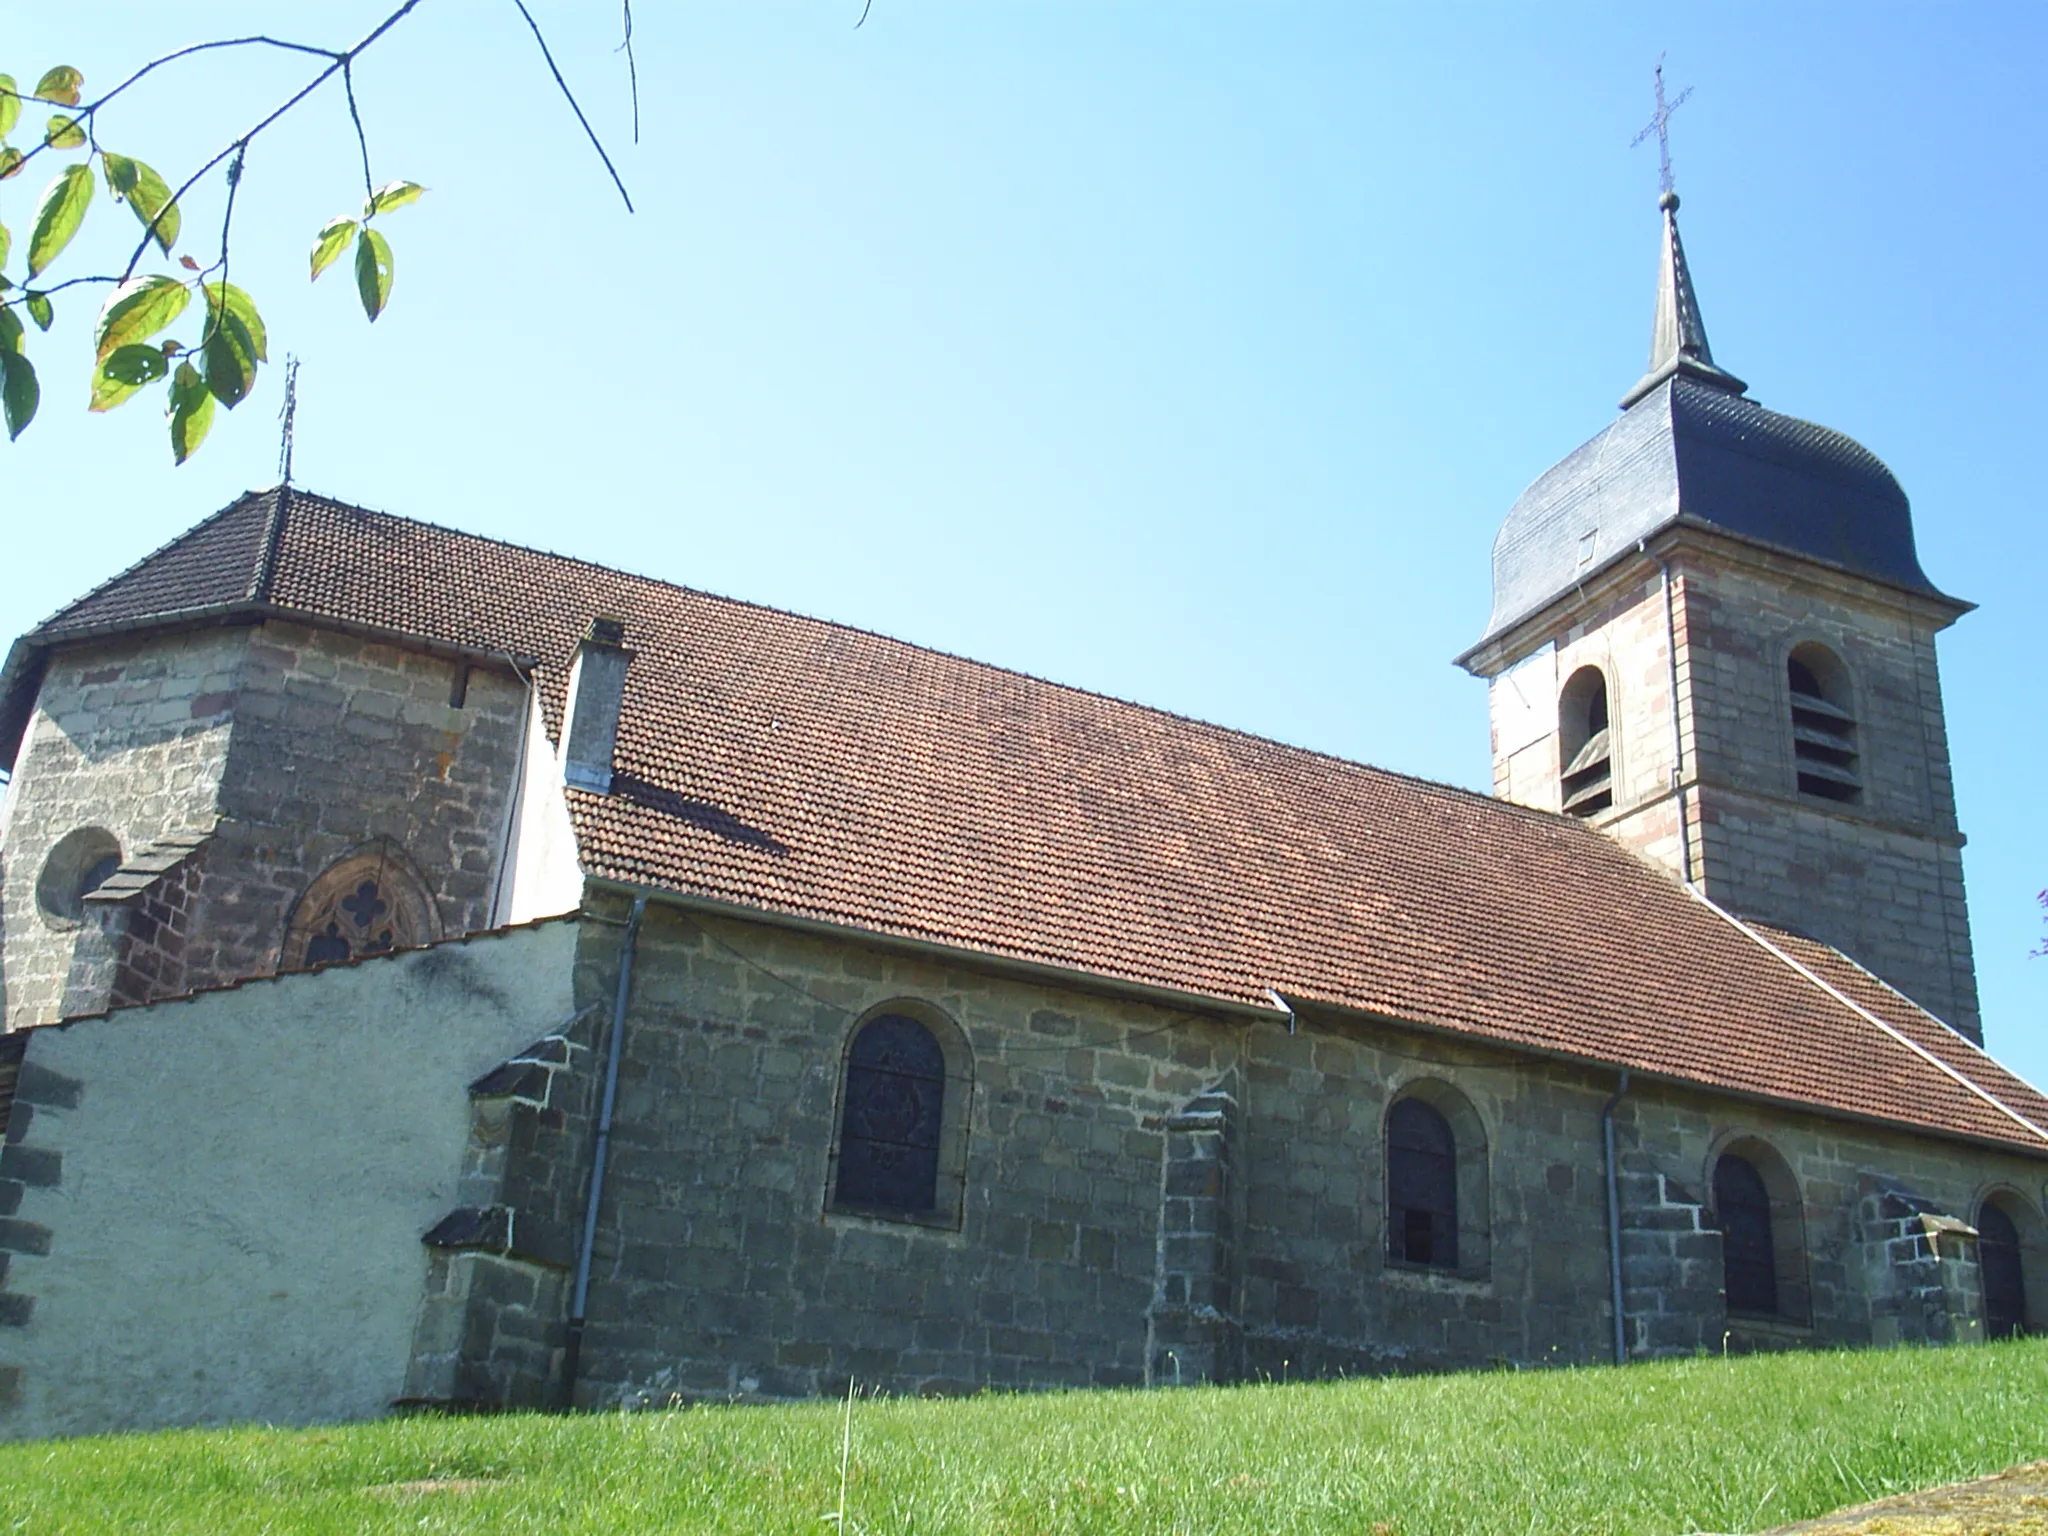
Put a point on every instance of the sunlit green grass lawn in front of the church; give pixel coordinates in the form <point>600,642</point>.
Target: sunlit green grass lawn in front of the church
<point>1701,1445</point>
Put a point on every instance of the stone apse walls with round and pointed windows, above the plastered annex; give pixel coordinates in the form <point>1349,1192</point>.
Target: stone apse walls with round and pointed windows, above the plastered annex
<point>282,751</point>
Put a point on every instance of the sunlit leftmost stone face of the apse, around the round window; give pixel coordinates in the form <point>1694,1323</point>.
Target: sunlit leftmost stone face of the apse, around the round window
<point>128,736</point>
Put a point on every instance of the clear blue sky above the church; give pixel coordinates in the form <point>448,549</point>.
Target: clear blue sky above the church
<point>1191,353</point>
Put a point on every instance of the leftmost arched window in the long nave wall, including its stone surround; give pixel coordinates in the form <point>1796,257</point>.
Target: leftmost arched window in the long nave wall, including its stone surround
<point>904,1103</point>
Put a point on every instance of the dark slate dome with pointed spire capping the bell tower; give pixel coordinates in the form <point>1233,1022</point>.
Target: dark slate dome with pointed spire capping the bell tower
<point>1691,447</point>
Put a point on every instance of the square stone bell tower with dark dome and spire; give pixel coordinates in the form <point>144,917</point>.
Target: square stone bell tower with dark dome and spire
<point>1713,640</point>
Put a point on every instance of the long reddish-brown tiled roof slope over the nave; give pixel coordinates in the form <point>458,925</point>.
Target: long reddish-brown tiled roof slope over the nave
<point>818,771</point>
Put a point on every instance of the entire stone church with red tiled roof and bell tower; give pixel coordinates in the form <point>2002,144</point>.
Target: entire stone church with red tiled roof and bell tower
<point>450,974</point>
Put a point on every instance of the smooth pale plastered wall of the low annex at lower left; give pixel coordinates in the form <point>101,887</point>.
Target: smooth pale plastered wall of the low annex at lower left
<point>212,1209</point>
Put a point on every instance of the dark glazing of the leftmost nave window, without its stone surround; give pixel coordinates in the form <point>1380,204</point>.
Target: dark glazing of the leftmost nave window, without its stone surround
<point>892,1119</point>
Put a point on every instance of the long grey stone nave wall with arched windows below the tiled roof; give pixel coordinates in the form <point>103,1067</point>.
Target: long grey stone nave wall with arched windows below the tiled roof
<point>1158,1195</point>
